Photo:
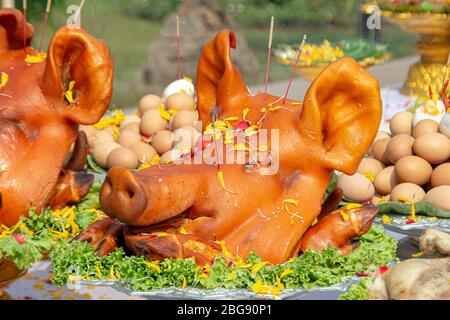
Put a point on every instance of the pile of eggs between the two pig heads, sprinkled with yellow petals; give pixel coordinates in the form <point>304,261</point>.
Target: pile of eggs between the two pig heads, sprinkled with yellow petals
<point>161,130</point>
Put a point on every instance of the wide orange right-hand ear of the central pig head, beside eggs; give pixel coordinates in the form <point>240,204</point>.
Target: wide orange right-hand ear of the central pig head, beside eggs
<point>341,115</point>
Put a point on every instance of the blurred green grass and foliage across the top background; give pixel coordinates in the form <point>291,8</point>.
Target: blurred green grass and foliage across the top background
<point>131,26</point>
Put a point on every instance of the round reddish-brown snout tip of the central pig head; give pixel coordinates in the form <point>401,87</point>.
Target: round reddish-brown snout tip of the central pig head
<point>122,197</point>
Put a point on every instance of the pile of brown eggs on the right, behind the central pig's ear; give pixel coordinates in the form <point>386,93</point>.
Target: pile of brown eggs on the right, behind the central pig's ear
<point>411,163</point>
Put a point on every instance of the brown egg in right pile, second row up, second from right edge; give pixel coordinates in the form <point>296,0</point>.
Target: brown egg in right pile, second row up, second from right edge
<point>413,169</point>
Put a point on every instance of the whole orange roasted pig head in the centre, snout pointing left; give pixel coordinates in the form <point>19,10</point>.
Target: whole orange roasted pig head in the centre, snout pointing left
<point>240,204</point>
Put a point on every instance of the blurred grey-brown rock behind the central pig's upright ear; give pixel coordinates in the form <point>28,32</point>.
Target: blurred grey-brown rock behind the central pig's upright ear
<point>200,20</point>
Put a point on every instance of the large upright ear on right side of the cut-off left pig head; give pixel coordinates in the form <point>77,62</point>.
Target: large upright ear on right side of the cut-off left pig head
<point>76,57</point>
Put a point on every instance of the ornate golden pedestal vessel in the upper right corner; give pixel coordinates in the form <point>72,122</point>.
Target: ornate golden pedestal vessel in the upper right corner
<point>433,47</point>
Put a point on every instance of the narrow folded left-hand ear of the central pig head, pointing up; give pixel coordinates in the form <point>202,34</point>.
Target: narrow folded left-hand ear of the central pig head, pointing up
<point>218,79</point>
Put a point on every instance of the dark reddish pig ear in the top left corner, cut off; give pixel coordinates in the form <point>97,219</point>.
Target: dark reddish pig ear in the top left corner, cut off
<point>11,30</point>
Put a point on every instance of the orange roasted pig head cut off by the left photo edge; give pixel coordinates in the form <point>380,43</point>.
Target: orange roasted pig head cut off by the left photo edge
<point>42,102</point>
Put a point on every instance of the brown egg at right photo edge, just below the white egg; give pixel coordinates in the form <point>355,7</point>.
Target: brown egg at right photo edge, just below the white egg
<point>433,147</point>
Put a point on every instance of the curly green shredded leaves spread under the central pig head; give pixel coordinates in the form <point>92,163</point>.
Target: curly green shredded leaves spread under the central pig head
<point>311,269</point>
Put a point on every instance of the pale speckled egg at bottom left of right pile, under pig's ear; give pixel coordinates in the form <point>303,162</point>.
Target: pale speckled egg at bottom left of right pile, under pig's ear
<point>356,188</point>
